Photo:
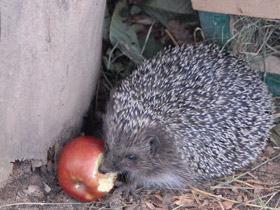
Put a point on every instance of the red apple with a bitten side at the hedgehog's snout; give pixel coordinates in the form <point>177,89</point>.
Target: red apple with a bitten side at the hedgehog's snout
<point>78,169</point>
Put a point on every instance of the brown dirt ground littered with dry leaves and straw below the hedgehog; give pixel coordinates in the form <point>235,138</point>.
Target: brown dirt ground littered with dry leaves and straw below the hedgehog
<point>37,188</point>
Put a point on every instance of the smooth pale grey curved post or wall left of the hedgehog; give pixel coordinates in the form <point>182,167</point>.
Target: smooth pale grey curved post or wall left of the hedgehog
<point>49,62</point>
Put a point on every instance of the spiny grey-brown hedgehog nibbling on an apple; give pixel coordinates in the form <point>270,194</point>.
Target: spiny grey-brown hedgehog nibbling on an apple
<point>187,116</point>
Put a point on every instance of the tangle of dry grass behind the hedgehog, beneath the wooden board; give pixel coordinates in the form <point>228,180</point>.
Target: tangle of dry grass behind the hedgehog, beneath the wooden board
<point>255,37</point>
